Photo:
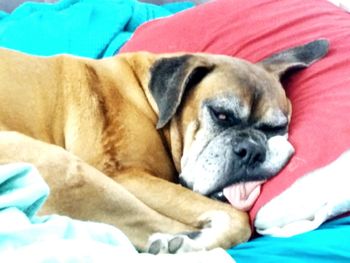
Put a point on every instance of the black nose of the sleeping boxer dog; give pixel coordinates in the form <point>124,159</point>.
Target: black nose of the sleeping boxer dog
<point>250,153</point>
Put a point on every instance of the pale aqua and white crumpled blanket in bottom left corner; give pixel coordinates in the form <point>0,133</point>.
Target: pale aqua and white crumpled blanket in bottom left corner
<point>25,237</point>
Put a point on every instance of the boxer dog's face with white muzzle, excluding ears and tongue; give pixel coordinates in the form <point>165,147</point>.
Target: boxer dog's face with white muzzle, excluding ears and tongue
<point>232,118</point>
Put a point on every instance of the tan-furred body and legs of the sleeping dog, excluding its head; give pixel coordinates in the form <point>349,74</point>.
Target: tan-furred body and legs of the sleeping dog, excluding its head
<point>79,120</point>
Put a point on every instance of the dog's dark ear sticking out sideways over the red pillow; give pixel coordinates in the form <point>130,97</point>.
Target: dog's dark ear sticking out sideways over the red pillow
<point>297,57</point>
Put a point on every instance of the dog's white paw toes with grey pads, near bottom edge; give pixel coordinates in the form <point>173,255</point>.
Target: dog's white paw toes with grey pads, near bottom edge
<point>173,244</point>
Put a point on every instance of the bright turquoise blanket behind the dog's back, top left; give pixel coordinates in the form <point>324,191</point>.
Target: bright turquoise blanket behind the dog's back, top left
<point>89,28</point>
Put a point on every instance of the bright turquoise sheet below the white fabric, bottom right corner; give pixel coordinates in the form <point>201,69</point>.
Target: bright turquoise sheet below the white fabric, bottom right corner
<point>328,244</point>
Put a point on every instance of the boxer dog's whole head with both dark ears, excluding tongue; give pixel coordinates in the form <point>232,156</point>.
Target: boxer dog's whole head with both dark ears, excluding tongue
<point>227,118</point>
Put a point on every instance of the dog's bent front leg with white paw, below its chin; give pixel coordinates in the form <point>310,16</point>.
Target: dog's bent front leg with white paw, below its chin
<point>217,224</point>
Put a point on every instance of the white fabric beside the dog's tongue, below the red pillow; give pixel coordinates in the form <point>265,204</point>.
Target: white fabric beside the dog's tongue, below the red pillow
<point>310,201</point>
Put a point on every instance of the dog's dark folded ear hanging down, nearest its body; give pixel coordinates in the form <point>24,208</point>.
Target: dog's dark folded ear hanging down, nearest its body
<point>170,78</point>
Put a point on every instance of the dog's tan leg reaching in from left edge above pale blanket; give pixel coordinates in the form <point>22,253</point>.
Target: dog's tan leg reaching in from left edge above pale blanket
<point>82,192</point>
